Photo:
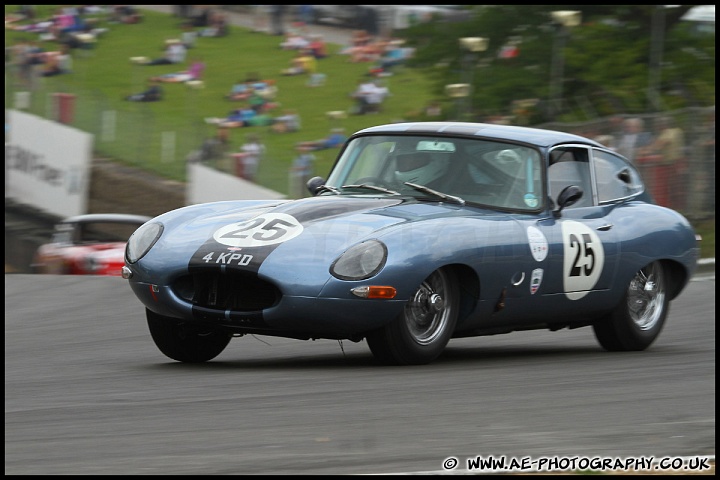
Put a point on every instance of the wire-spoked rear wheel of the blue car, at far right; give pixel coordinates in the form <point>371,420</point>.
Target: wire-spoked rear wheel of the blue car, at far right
<point>637,321</point>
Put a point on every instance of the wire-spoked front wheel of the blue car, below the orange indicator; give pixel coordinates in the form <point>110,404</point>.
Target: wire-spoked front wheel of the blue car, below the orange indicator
<point>420,333</point>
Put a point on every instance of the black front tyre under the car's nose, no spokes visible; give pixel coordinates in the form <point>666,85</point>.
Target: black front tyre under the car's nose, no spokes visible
<point>184,342</point>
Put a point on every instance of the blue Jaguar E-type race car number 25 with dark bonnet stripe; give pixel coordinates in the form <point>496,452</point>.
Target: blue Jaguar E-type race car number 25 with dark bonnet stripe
<point>421,233</point>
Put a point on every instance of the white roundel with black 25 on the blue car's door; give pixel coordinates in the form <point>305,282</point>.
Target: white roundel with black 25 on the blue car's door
<point>583,259</point>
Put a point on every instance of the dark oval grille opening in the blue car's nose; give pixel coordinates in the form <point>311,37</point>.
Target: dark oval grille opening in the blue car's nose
<point>227,291</point>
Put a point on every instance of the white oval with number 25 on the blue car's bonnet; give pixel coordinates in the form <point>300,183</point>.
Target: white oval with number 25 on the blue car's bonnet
<point>265,229</point>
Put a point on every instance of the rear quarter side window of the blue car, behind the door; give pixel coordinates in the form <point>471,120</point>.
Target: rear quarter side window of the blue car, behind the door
<point>616,178</point>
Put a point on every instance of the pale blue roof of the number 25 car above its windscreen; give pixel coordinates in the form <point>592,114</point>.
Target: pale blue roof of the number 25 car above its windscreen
<point>534,136</point>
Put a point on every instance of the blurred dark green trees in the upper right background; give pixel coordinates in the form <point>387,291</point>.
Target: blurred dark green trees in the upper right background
<point>607,59</point>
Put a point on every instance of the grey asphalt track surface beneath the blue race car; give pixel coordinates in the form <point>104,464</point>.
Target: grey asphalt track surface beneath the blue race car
<point>88,393</point>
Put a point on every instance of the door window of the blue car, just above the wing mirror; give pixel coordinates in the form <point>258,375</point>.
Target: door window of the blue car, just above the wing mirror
<point>570,166</point>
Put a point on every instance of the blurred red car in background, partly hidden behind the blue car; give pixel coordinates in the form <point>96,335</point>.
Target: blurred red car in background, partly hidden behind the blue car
<point>92,244</point>
